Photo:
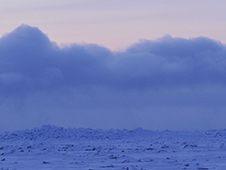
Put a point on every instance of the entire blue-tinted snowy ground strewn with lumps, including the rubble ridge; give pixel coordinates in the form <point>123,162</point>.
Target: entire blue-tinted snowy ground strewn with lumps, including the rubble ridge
<point>51,147</point>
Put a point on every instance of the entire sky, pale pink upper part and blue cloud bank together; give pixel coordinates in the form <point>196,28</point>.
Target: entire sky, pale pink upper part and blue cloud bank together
<point>113,64</point>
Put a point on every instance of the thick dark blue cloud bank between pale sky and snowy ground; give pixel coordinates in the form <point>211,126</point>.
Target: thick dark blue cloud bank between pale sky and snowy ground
<point>168,83</point>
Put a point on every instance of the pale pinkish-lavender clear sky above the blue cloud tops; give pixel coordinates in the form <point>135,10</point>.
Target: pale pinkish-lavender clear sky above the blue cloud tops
<point>116,24</point>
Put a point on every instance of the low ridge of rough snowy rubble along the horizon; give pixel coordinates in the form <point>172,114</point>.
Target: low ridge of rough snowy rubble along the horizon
<point>48,132</point>
